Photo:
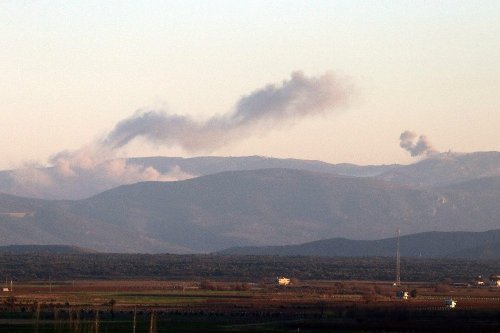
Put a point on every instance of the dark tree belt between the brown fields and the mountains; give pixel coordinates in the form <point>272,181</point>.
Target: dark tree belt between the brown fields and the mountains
<point>241,268</point>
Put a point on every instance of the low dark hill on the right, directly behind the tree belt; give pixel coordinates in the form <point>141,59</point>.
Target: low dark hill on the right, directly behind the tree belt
<point>485,245</point>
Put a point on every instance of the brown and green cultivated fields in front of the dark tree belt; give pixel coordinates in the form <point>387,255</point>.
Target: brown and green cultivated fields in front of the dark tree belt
<point>225,306</point>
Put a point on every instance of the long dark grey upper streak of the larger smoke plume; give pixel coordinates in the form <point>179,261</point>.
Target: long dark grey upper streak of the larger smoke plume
<point>269,107</point>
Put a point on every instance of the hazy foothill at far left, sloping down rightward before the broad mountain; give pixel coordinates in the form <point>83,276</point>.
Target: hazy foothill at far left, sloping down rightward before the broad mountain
<point>31,221</point>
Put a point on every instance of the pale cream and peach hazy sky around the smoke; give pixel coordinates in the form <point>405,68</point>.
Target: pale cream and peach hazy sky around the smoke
<point>71,70</point>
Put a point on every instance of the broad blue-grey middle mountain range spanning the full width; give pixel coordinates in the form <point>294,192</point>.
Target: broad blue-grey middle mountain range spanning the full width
<point>248,208</point>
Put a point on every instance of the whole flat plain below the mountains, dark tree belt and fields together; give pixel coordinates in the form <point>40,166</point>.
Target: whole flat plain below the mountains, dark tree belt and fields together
<point>193,293</point>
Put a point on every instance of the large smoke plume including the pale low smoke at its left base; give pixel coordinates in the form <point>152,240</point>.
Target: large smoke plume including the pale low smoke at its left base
<point>97,167</point>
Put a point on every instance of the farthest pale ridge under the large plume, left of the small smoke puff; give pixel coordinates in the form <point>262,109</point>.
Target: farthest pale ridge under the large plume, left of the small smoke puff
<point>51,183</point>
